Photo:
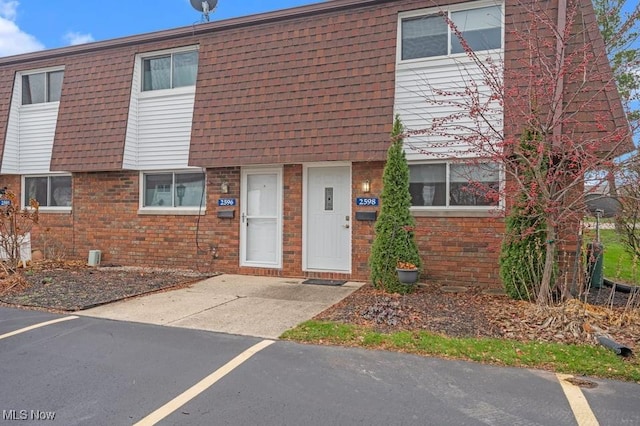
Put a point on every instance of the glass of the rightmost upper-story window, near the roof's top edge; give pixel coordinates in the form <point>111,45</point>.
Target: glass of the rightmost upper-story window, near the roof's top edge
<point>429,35</point>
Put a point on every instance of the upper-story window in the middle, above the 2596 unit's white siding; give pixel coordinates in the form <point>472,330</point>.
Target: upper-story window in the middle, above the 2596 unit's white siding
<point>170,71</point>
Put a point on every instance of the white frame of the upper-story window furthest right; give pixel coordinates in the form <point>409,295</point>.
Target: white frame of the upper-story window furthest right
<point>435,11</point>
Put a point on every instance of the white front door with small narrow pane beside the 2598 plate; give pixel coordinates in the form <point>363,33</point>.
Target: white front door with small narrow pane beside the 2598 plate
<point>328,219</point>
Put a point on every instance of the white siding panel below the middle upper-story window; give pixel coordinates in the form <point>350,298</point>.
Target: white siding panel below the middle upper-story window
<point>159,126</point>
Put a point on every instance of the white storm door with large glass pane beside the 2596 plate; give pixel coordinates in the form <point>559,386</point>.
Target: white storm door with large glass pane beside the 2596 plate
<point>261,218</point>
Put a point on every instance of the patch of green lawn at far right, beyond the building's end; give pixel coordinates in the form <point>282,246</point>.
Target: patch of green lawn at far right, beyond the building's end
<point>618,265</point>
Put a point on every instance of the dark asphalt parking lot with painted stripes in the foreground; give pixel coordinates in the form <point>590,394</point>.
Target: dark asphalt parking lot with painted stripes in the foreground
<point>83,370</point>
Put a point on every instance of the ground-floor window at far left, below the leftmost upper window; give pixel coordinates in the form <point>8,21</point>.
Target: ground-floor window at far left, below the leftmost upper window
<point>48,191</point>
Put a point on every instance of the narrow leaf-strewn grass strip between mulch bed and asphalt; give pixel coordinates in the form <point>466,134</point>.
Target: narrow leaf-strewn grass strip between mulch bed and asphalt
<point>586,360</point>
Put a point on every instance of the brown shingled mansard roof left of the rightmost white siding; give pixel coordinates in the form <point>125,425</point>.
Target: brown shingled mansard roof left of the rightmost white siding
<point>312,83</point>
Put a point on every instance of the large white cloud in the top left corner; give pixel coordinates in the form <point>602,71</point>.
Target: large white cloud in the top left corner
<point>13,40</point>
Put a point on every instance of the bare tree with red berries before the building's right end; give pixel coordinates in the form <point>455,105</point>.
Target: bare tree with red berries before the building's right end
<point>554,82</point>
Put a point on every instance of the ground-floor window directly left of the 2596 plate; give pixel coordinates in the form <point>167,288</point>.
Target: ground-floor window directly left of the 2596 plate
<point>173,189</point>
